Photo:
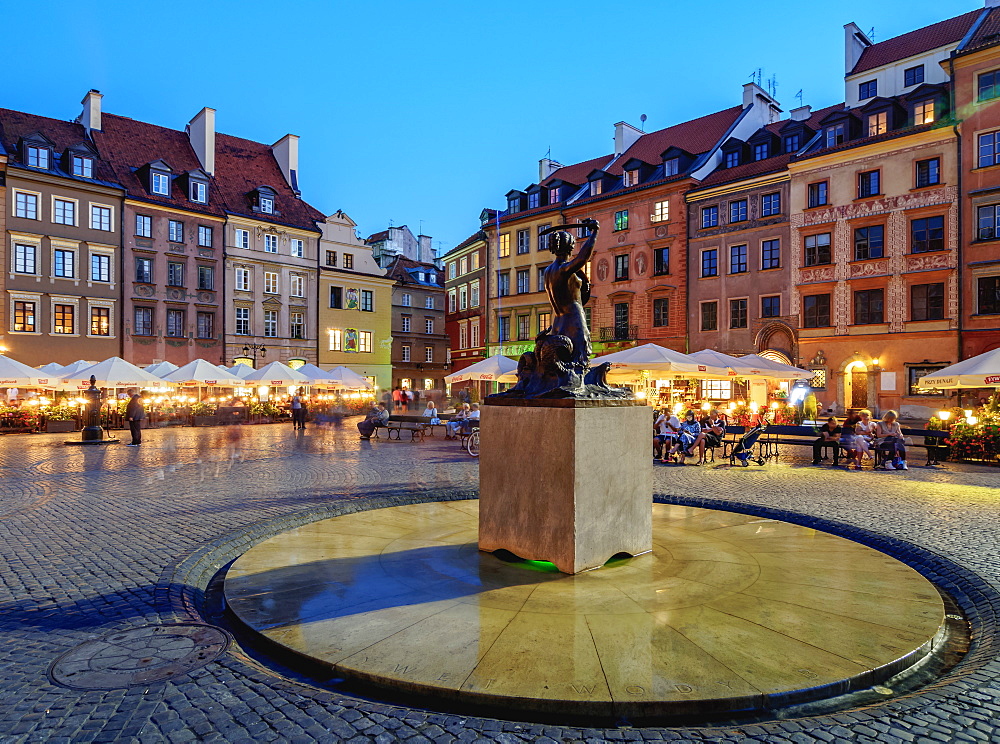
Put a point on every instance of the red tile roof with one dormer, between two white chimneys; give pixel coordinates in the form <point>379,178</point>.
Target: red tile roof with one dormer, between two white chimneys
<point>241,166</point>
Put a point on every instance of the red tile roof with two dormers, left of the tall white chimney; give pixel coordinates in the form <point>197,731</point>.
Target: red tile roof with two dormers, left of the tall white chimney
<point>129,144</point>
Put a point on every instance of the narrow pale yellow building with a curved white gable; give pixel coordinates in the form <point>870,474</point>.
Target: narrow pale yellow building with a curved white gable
<point>355,304</point>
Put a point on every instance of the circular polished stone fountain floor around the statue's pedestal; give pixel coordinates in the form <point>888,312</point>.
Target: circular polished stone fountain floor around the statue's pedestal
<point>728,612</point>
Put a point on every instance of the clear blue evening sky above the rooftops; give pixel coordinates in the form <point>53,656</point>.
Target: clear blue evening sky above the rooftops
<point>419,111</point>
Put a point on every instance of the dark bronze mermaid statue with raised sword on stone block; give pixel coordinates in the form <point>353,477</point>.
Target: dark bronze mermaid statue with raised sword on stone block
<point>559,367</point>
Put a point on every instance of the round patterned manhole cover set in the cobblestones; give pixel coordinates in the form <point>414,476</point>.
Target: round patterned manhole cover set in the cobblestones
<point>140,656</point>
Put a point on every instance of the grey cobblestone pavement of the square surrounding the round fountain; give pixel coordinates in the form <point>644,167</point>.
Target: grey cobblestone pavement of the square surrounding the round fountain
<point>100,540</point>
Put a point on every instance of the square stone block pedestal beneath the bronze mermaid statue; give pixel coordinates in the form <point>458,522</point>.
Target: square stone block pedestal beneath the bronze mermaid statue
<point>566,481</point>
